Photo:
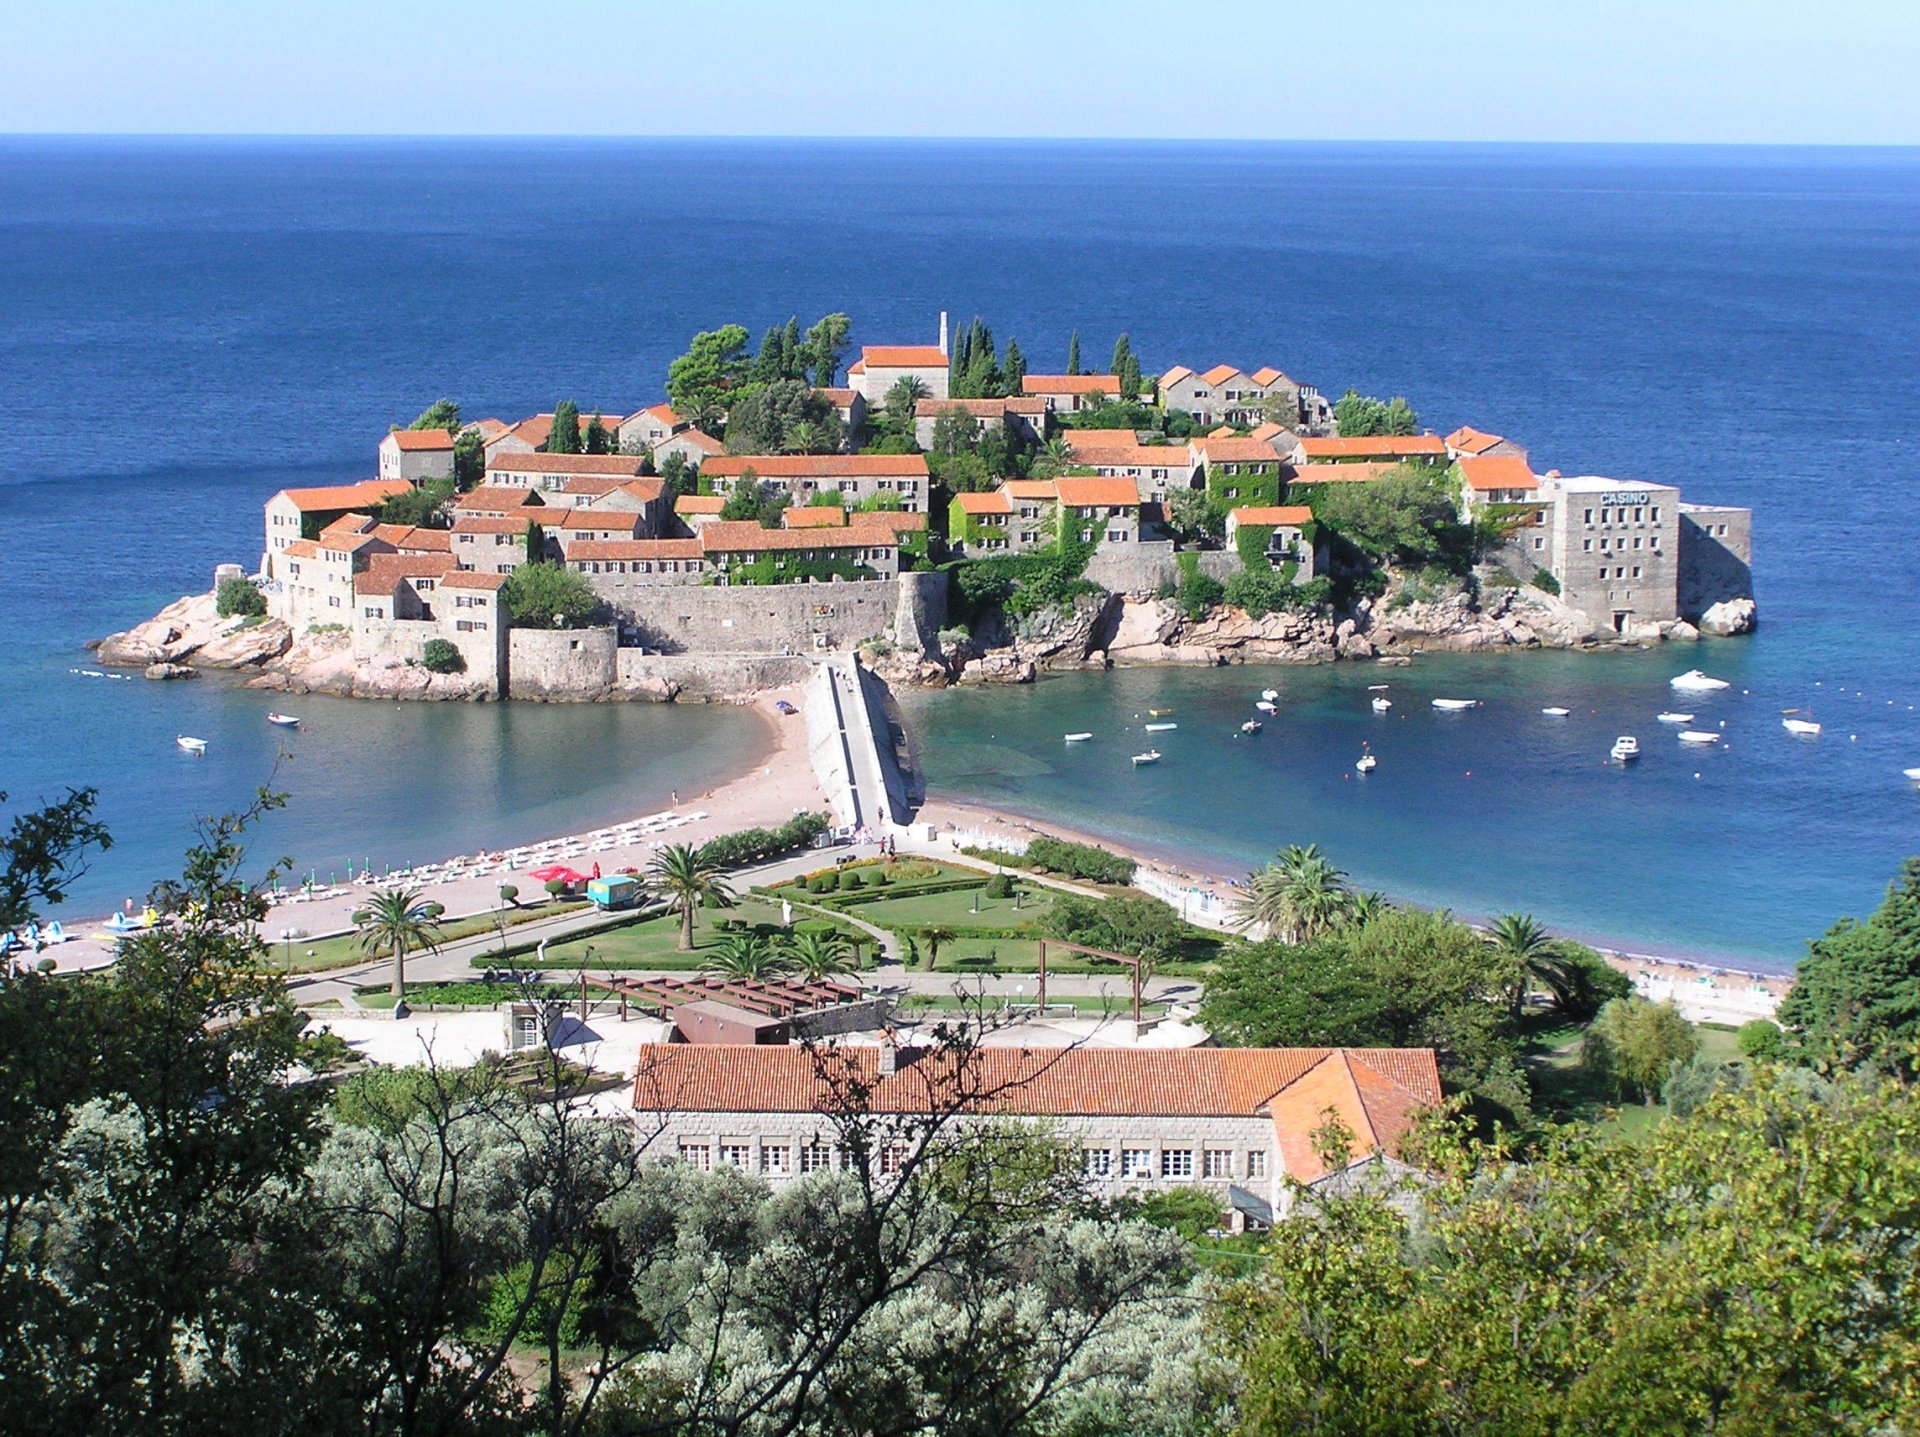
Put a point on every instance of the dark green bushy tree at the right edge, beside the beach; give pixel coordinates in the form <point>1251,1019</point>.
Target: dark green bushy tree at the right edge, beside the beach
<point>1858,992</point>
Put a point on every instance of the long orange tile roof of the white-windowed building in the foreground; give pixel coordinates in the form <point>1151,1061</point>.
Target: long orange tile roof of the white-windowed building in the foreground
<point>1205,1083</point>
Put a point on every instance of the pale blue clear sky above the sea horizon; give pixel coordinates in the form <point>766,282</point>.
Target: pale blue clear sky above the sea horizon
<point>1410,70</point>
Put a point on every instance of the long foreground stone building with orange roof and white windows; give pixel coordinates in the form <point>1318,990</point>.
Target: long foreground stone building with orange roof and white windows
<point>1239,1125</point>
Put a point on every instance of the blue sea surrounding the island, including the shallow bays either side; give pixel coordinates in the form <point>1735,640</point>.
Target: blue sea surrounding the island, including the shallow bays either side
<point>187,326</point>
